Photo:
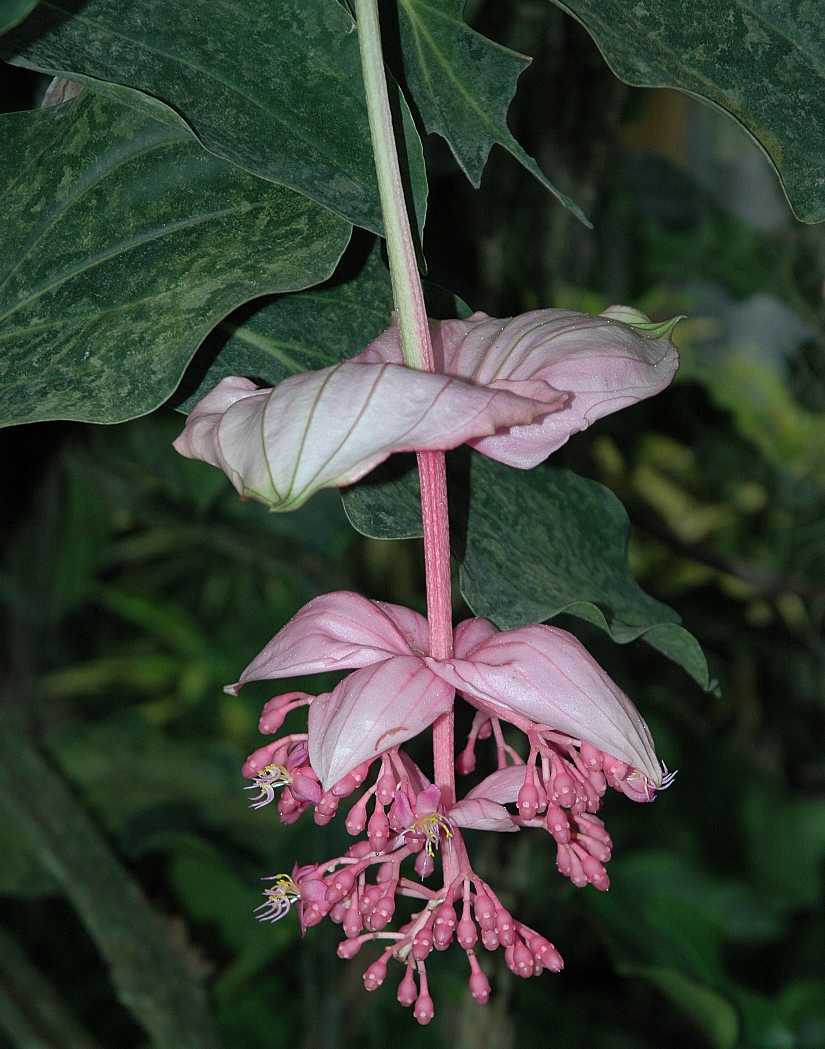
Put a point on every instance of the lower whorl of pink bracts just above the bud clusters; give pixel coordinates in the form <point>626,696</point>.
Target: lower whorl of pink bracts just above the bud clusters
<point>540,674</point>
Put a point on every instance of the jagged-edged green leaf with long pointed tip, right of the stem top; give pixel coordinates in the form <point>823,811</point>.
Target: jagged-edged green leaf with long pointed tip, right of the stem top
<point>463,84</point>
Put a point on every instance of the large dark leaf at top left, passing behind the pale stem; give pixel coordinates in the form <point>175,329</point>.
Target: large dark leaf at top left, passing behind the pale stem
<point>276,89</point>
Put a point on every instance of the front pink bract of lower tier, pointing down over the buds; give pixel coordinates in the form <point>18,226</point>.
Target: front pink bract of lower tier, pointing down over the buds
<point>372,711</point>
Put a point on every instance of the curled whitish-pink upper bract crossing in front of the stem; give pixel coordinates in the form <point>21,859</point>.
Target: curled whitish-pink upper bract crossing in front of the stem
<point>328,429</point>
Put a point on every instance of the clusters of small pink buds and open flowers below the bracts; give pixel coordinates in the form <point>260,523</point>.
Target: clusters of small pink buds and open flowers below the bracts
<point>404,821</point>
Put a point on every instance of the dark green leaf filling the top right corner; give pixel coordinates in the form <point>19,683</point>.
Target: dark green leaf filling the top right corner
<point>761,61</point>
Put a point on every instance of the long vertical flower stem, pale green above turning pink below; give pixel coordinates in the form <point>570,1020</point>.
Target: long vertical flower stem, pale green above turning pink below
<point>417,350</point>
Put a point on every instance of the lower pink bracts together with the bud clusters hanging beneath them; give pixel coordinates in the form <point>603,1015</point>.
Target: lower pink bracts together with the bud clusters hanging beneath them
<point>583,736</point>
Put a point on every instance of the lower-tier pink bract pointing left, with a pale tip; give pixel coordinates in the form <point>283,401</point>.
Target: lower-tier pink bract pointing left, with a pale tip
<point>337,632</point>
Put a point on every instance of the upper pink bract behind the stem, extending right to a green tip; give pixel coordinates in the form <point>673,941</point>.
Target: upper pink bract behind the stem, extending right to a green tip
<point>607,362</point>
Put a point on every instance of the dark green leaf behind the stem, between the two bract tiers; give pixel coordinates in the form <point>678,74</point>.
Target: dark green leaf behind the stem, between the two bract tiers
<point>538,544</point>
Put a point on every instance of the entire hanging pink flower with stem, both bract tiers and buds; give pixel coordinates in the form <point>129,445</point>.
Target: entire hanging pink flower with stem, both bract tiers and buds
<point>516,391</point>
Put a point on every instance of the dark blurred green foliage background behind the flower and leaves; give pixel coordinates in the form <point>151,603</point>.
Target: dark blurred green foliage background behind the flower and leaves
<point>135,585</point>
